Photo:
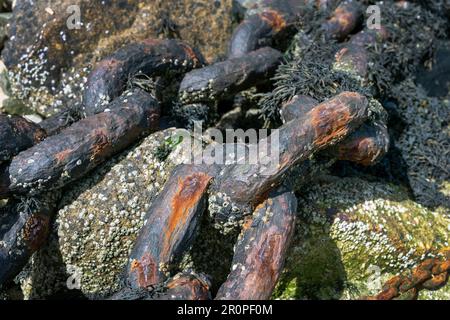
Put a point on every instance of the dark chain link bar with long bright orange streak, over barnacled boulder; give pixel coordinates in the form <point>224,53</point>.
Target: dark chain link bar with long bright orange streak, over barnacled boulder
<point>171,223</point>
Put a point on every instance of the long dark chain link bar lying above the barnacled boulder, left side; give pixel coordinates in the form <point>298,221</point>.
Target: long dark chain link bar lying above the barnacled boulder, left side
<point>78,149</point>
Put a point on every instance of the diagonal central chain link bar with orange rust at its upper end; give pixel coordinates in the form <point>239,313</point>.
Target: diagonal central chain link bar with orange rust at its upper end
<point>325,125</point>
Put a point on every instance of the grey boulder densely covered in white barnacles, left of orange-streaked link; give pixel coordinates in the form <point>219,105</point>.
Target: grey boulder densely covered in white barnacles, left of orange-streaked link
<point>100,218</point>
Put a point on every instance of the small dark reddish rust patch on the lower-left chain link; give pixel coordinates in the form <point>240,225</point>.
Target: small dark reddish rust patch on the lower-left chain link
<point>36,231</point>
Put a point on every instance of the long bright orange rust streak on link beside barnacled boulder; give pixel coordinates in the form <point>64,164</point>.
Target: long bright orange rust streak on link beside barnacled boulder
<point>190,191</point>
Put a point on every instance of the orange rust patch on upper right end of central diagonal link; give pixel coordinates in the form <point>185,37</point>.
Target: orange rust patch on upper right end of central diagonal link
<point>330,121</point>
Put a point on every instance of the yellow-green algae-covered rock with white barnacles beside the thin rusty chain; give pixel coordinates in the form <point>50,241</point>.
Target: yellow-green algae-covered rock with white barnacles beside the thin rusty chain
<point>352,235</point>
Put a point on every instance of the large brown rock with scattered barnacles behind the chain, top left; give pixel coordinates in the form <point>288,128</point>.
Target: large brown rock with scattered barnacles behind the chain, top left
<point>49,62</point>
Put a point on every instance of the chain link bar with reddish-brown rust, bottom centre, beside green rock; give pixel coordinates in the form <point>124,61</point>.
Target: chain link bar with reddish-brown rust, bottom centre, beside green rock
<point>260,252</point>
